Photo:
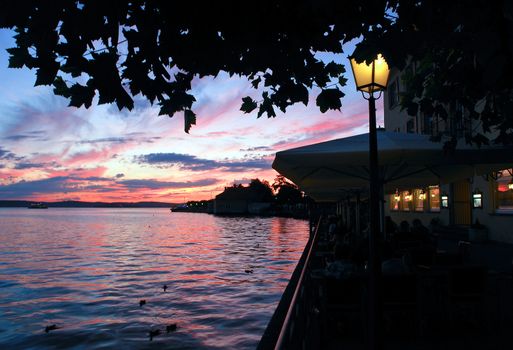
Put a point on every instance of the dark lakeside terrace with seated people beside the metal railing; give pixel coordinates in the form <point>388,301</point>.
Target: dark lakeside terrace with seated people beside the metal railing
<point>463,301</point>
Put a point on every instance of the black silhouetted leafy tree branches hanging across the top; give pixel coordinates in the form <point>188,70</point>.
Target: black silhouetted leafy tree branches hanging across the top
<point>120,49</point>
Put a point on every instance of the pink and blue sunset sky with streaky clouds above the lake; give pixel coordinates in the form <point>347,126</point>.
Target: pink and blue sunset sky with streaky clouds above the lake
<point>51,152</point>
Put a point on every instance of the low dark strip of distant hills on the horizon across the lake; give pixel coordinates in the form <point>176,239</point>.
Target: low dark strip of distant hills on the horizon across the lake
<point>78,204</point>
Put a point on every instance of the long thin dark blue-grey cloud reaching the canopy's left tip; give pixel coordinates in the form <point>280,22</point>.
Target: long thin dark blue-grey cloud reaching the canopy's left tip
<point>189,162</point>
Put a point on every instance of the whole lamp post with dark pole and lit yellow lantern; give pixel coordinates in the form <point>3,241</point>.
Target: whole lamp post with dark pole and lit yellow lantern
<point>371,80</point>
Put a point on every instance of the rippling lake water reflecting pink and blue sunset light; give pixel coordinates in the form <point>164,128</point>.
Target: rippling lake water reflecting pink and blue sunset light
<point>85,270</point>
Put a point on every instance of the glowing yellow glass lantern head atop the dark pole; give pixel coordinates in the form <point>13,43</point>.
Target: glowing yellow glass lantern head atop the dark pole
<point>370,78</point>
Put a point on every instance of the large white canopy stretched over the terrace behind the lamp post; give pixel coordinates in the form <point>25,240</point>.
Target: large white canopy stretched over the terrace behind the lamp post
<point>327,170</point>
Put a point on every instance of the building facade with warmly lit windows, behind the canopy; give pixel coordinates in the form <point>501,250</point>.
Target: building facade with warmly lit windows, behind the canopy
<point>486,200</point>
